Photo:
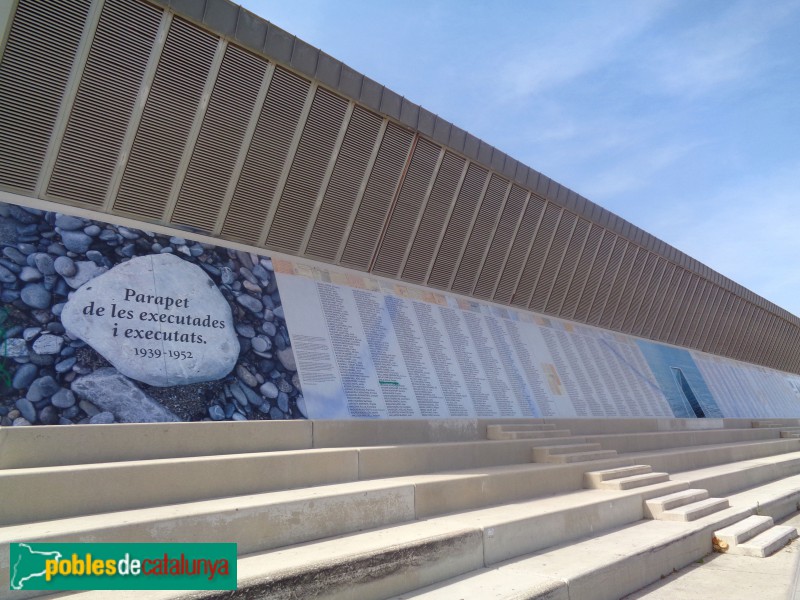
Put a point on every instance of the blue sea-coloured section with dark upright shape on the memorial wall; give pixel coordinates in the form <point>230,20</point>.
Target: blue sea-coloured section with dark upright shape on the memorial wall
<point>680,380</point>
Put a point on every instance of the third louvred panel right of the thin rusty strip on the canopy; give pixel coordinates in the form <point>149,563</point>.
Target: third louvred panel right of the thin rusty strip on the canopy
<point>460,219</point>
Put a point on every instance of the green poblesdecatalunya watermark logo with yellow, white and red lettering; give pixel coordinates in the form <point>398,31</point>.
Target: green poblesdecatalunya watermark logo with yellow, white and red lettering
<point>122,566</point>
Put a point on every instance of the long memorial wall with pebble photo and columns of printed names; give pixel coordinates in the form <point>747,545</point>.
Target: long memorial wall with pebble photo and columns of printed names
<point>104,323</point>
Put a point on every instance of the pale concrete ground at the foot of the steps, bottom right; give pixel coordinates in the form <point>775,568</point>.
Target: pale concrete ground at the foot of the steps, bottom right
<point>734,577</point>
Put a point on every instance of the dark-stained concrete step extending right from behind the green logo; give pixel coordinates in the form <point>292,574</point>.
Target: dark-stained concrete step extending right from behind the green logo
<point>390,560</point>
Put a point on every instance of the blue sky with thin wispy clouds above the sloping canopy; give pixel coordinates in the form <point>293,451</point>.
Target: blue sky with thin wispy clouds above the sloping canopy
<point>681,116</point>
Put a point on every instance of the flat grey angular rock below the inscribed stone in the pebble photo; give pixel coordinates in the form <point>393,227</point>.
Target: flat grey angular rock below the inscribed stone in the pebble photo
<point>109,390</point>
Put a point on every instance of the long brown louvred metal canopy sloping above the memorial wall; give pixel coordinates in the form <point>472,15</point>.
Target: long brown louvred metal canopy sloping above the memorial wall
<point>195,118</point>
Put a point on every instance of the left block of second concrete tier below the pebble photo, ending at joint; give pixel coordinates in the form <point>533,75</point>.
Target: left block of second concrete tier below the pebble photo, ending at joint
<point>27,495</point>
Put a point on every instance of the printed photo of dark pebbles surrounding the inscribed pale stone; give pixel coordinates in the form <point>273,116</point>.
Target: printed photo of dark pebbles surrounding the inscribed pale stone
<point>53,375</point>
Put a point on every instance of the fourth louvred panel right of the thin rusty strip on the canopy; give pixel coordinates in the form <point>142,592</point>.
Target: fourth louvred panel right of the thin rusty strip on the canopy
<point>480,236</point>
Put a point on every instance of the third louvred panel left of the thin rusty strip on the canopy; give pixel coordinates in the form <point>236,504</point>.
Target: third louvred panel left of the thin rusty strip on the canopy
<point>307,172</point>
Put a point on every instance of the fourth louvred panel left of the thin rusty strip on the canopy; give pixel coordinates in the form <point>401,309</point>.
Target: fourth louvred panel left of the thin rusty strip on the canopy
<point>266,157</point>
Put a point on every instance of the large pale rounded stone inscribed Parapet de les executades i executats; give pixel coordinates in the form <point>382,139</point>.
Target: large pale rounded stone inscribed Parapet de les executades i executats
<point>158,319</point>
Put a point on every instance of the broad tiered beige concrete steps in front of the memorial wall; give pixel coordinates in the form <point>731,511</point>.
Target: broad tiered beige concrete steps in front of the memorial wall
<point>376,510</point>
